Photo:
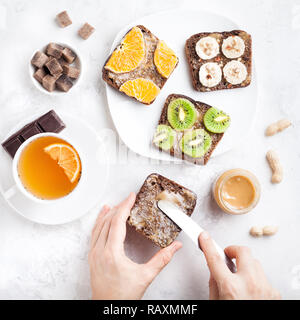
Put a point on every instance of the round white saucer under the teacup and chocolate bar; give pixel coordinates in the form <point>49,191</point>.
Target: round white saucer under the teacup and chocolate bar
<point>92,184</point>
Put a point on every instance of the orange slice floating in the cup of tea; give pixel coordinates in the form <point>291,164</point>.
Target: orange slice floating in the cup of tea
<point>67,158</point>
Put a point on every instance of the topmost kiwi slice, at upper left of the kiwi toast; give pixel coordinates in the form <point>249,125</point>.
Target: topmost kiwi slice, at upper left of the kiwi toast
<point>182,114</point>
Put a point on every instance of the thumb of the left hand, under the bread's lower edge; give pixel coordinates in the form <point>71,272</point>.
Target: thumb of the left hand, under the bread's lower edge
<point>161,259</point>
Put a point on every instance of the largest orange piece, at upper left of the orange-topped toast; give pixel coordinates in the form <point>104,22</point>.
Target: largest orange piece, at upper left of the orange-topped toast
<point>129,53</point>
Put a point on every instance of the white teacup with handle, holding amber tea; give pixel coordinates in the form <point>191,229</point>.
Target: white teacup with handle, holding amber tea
<point>18,183</point>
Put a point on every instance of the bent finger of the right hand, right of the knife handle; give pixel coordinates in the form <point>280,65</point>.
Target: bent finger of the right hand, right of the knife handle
<point>243,257</point>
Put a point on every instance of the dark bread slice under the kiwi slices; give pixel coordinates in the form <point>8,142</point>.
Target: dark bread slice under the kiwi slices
<point>201,108</point>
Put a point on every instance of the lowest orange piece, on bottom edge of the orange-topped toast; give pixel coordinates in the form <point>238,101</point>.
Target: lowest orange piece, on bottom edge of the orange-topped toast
<point>143,90</point>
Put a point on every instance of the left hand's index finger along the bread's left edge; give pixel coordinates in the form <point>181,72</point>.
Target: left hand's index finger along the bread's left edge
<point>117,232</point>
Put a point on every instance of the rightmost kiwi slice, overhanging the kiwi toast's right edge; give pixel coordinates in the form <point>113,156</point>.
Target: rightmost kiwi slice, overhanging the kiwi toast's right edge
<point>216,120</point>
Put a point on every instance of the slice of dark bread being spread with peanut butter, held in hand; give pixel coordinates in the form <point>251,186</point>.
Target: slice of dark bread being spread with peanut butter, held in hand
<point>148,220</point>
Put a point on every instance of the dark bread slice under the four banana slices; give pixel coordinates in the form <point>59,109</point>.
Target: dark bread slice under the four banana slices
<point>195,62</point>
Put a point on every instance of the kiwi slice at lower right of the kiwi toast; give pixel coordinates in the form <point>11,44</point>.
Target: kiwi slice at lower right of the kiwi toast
<point>195,143</point>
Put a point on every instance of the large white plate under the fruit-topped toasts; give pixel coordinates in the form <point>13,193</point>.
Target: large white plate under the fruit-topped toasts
<point>136,122</point>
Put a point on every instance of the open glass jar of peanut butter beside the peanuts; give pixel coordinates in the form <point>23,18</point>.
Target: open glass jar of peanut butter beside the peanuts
<point>236,191</point>
